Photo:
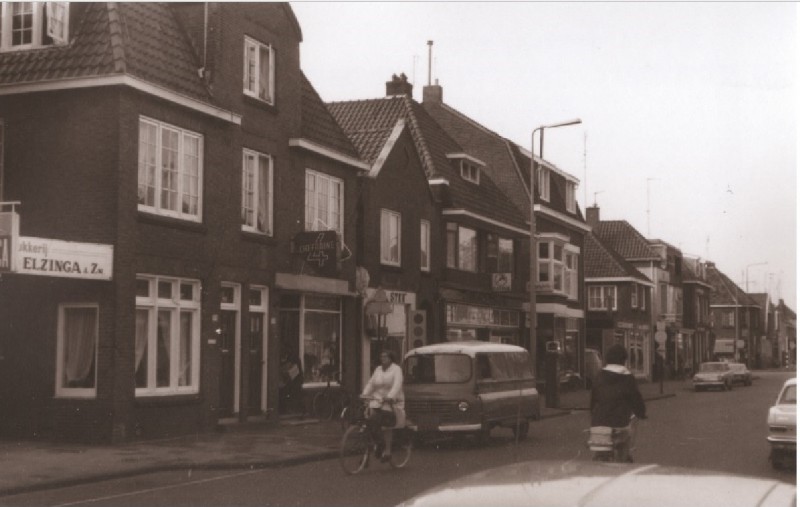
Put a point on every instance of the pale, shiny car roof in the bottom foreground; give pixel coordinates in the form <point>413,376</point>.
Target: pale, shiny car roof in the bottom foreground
<point>590,484</point>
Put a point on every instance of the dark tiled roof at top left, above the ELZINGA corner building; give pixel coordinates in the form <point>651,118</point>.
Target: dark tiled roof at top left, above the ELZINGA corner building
<point>143,40</point>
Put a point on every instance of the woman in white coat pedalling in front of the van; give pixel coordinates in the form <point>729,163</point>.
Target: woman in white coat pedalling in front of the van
<point>386,401</point>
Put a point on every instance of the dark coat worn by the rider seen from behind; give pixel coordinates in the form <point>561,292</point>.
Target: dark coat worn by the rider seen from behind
<point>615,396</point>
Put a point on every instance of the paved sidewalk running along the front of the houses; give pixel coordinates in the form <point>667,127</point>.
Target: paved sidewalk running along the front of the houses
<point>30,466</point>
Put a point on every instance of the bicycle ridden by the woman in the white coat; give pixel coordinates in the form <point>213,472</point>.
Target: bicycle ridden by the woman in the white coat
<point>358,444</point>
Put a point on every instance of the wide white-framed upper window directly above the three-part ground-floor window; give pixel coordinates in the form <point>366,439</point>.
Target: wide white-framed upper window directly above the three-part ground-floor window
<point>170,170</point>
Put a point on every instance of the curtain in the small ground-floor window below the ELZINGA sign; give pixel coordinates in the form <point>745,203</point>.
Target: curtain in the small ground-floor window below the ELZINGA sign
<point>80,345</point>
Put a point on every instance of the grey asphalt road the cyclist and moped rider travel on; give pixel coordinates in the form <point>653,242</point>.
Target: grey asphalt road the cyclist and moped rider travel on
<point>716,430</point>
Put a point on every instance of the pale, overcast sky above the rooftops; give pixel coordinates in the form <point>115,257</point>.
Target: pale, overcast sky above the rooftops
<point>689,110</point>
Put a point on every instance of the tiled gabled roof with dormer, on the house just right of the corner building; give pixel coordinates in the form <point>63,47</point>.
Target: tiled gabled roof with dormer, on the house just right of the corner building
<point>368,123</point>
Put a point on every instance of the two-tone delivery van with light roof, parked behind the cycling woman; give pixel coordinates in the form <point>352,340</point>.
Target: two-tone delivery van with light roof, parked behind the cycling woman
<point>470,387</point>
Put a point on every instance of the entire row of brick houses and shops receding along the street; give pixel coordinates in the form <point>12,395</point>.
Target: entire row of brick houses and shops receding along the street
<point>184,218</point>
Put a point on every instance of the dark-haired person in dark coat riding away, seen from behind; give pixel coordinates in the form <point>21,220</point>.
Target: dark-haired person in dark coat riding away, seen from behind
<point>616,396</point>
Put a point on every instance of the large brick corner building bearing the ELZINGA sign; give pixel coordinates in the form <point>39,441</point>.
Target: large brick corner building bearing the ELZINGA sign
<point>185,139</point>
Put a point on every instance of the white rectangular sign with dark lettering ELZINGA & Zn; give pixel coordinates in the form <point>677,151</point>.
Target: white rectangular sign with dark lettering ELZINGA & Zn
<point>68,259</point>
